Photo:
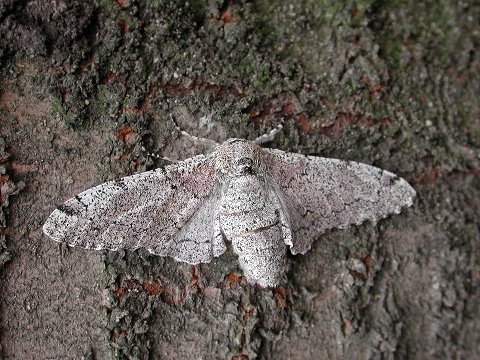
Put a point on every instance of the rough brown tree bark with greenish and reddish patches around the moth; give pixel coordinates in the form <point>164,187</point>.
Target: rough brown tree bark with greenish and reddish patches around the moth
<point>85,86</point>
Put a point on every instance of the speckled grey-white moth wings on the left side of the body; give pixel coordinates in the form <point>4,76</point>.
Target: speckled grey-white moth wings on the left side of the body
<point>155,210</point>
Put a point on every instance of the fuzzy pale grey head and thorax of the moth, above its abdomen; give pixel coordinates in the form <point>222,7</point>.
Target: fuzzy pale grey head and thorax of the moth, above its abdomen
<point>238,157</point>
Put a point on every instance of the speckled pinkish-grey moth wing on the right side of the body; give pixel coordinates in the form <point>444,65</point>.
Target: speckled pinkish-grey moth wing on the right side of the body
<point>318,194</point>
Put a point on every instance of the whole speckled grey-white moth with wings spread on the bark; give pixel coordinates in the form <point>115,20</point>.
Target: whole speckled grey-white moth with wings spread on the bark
<point>262,201</point>
